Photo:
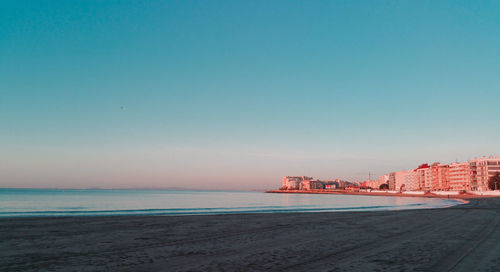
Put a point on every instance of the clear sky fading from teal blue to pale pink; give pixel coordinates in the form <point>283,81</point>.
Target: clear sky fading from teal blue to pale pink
<point>237,94</point>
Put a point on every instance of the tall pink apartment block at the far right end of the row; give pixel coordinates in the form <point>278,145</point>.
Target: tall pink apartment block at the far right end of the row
<point>481,170</point>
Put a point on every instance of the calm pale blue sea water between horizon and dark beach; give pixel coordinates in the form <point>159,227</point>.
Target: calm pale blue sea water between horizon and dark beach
<point>58,202</point>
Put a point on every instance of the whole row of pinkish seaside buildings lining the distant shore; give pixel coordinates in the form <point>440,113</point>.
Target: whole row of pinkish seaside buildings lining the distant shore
<point>476,175</point>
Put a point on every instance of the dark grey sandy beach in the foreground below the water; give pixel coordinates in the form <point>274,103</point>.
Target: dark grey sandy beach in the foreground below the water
<point>461,238</point>
